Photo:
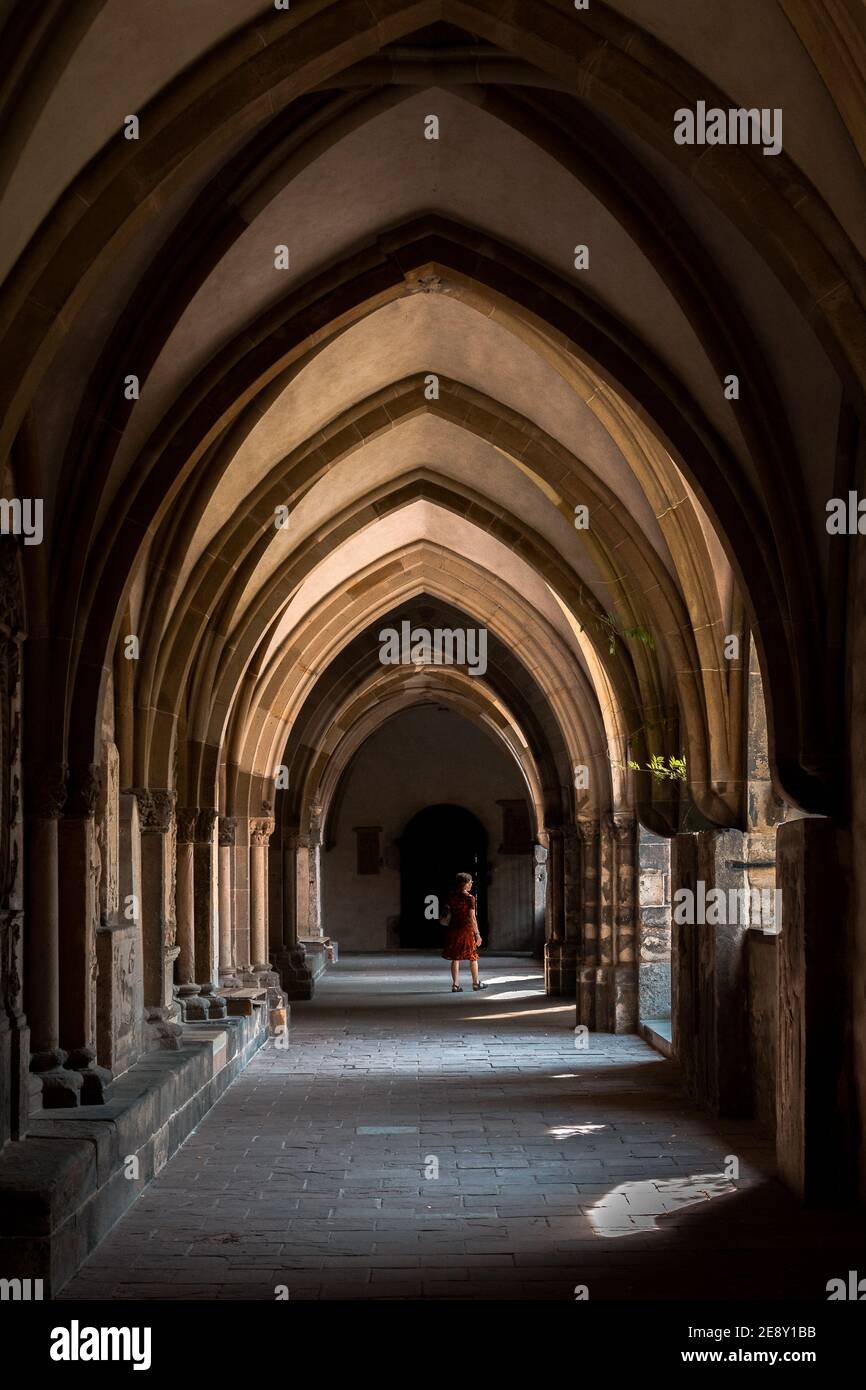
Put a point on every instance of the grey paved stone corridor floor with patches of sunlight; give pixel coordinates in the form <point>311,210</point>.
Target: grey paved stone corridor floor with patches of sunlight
<point>419,1145</point>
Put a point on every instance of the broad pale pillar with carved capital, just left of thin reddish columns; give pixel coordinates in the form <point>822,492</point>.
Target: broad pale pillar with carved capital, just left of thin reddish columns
<point>159,925</point>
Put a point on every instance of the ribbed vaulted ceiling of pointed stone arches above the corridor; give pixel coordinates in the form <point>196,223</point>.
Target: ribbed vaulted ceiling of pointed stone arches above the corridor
<point>429,384</point>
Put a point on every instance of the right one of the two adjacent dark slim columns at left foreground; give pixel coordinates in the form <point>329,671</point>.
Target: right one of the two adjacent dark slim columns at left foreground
<point>80,883</point>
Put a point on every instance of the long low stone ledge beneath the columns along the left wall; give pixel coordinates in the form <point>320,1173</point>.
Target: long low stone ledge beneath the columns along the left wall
<point>65,1186</point>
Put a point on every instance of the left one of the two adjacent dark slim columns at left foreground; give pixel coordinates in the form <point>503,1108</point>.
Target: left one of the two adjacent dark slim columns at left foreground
<point>47,796</point>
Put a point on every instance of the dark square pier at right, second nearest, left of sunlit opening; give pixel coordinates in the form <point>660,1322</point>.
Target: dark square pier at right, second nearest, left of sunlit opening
<point>711,970</point>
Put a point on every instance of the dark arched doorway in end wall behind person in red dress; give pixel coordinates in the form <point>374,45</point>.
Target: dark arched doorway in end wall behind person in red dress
<point>439,844</point>
